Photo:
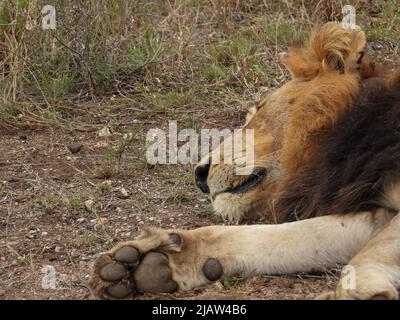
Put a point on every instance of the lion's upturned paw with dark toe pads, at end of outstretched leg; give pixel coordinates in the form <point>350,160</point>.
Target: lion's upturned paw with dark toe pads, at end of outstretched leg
<point>136,266</point>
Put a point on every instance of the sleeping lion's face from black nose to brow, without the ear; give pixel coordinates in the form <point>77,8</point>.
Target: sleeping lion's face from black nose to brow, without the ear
<point>234,196</point>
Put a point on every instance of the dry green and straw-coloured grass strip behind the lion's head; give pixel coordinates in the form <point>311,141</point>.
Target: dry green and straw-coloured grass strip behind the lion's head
<point>157,55</point>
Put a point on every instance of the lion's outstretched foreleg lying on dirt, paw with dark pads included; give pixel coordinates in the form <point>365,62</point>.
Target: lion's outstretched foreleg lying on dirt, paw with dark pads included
<point>169,260</point>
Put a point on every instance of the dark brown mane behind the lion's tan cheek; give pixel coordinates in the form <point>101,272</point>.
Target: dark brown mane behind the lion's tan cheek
<point>359,158</point>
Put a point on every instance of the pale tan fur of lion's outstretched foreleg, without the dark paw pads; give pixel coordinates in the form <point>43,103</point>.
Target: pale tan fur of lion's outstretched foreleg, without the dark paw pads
<point>257,249</point>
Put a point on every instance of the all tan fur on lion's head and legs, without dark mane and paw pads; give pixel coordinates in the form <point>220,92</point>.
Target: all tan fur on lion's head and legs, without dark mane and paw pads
<point>289,125</point>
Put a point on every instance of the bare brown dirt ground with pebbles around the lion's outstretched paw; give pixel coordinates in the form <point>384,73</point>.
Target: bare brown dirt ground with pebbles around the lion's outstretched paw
<point>46,219</point>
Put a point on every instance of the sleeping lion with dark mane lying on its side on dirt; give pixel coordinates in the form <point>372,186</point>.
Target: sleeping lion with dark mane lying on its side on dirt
<point>326,155</point>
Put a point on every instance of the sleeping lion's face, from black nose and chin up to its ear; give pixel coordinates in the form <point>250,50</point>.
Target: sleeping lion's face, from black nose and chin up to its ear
<point>234,196</point>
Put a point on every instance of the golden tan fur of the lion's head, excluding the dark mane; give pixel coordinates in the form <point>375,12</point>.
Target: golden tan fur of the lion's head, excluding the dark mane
<point>291,122</point>
